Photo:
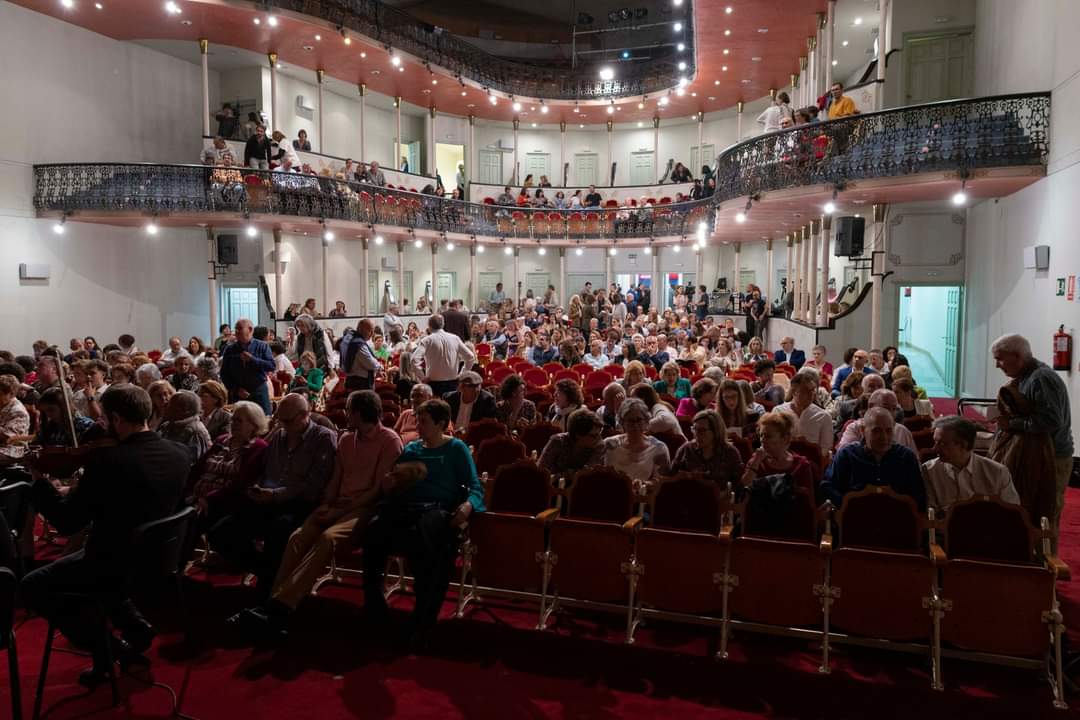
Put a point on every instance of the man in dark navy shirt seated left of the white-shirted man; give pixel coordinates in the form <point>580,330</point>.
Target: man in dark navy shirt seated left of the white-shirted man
<point>877,460</point>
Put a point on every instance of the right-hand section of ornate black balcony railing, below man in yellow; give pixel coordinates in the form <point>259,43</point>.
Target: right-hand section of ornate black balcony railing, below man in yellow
<point>953,135</point>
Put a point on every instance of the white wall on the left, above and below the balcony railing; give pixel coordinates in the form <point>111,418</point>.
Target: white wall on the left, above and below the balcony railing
<point>89,99</point>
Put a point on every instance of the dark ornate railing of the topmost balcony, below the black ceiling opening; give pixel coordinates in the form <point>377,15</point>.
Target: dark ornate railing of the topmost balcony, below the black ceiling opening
<point>402,32</point>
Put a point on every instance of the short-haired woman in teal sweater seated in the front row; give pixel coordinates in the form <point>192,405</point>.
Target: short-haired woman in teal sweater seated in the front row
<point>431,493</point>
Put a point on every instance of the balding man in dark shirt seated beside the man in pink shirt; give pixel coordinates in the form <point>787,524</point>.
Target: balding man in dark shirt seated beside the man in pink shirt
<point>300,460</point>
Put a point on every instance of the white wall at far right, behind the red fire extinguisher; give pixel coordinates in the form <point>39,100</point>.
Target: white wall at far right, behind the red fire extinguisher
<point>1003,295</point>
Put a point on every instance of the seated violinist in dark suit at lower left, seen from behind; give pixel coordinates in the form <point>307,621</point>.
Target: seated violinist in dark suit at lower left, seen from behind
<point>139,481</point>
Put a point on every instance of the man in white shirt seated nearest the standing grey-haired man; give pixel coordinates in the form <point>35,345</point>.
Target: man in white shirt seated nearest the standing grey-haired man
<point>957,473</point>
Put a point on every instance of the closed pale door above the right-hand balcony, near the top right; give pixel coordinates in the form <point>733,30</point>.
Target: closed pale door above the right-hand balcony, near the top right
<point>939,69</point>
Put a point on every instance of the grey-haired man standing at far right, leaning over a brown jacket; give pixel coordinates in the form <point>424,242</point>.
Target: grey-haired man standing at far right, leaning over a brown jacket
<point>1049,400</point>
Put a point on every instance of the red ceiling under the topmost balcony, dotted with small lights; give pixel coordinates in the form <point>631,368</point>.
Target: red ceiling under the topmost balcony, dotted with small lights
<point>789,23</point>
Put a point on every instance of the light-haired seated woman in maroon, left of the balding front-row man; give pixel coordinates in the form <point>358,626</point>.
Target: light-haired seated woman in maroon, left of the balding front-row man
<point>233,465</point>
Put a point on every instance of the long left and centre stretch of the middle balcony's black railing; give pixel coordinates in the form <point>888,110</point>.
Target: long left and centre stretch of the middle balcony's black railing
<point>151,188</point>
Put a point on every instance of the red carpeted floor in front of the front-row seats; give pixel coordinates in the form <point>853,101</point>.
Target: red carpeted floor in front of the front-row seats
<point>494,665</point>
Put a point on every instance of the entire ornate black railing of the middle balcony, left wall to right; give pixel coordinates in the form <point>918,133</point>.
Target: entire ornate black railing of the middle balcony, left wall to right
<point>961,135</point>
